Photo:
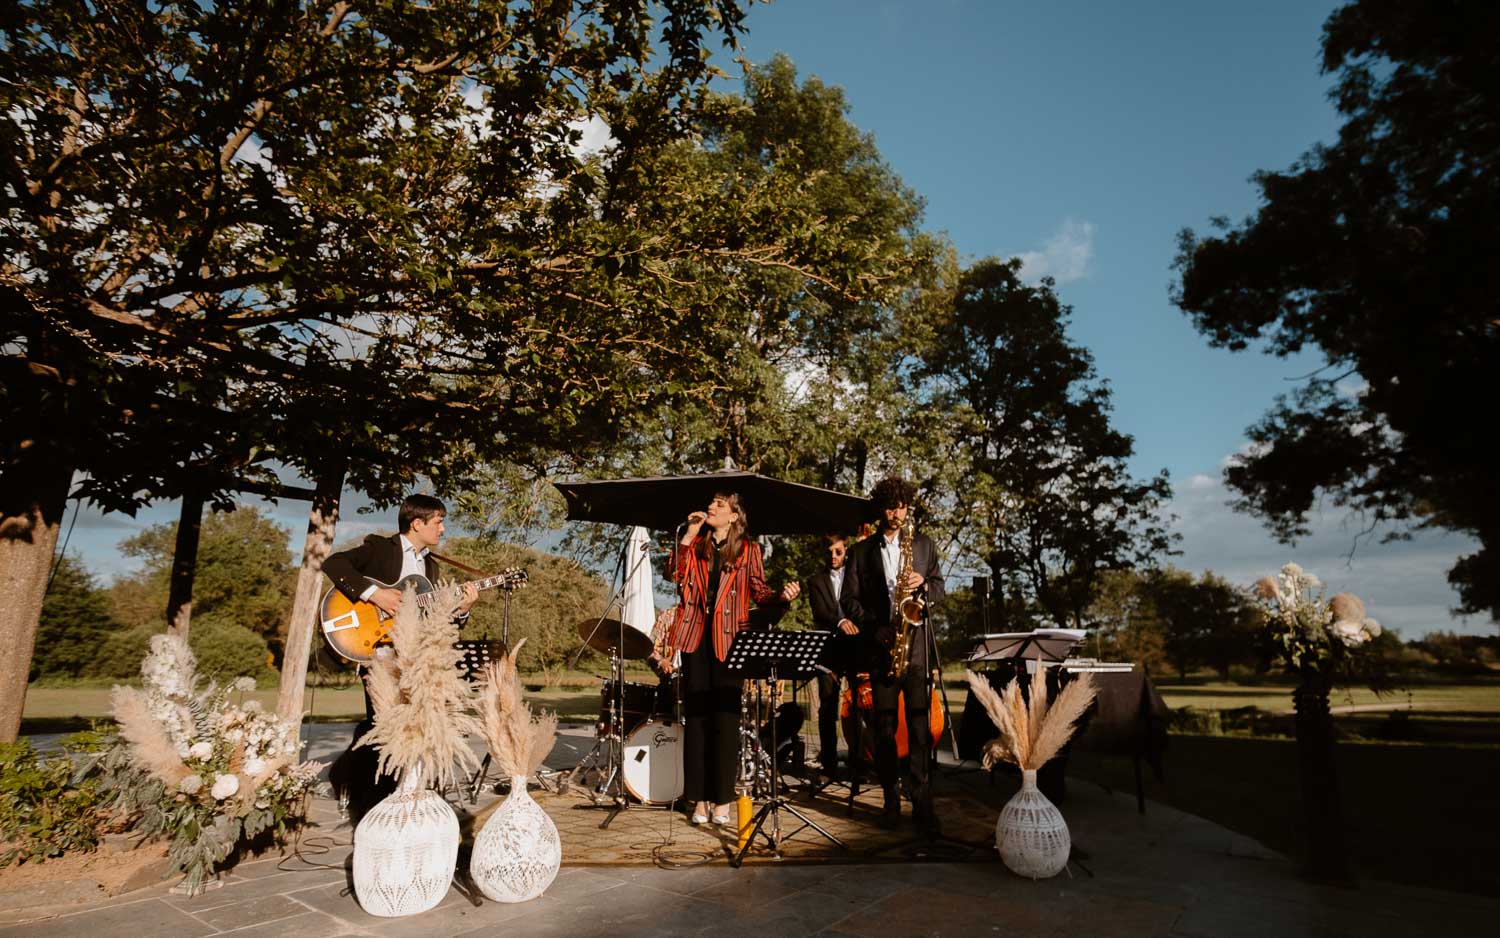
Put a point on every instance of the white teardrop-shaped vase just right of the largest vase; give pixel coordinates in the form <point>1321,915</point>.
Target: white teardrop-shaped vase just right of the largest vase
<point>518,853</point>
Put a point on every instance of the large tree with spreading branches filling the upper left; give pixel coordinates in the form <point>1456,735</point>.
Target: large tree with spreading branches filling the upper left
<point>350,238</point>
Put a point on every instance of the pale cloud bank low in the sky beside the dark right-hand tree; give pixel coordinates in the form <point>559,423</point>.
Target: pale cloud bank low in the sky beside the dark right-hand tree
<point>1405,583</point>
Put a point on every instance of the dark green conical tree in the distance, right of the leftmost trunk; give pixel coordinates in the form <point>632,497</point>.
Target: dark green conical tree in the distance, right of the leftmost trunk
<point>76,625</point>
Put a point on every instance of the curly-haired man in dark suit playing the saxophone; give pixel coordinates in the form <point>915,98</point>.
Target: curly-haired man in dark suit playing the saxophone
<point>880,585</point>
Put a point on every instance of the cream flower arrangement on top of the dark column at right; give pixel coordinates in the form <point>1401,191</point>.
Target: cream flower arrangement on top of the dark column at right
<point>1309,633</point>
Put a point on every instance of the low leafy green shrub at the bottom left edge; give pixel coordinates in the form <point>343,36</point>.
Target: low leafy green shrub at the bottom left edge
<point>44,810</point>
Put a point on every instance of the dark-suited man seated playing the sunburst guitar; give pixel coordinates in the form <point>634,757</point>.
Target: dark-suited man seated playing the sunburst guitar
<point>388,561</point>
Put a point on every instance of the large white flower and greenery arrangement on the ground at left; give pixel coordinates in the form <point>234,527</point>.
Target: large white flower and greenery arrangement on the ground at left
<point>194,765</point>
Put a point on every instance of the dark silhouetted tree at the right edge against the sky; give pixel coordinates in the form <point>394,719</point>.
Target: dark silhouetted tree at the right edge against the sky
<point>1375,251</point>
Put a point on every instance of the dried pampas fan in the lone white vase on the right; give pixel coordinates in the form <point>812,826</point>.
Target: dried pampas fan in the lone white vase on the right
<point>1031,736</point>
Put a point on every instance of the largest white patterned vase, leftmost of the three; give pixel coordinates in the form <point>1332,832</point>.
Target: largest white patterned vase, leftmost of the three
<point>406,852</point>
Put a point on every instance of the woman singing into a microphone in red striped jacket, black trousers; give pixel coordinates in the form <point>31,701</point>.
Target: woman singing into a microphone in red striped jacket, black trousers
<point>725,565</point>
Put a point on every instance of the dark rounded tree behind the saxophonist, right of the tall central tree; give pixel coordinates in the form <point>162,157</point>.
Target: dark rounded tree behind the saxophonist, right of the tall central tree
<point>1039,475</point>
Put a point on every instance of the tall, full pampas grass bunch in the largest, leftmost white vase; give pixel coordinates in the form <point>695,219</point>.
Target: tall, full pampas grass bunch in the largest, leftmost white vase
<point>422,702</point>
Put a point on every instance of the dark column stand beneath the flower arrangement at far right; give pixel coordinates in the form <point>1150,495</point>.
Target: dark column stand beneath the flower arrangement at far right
<point>1328,858</point>
